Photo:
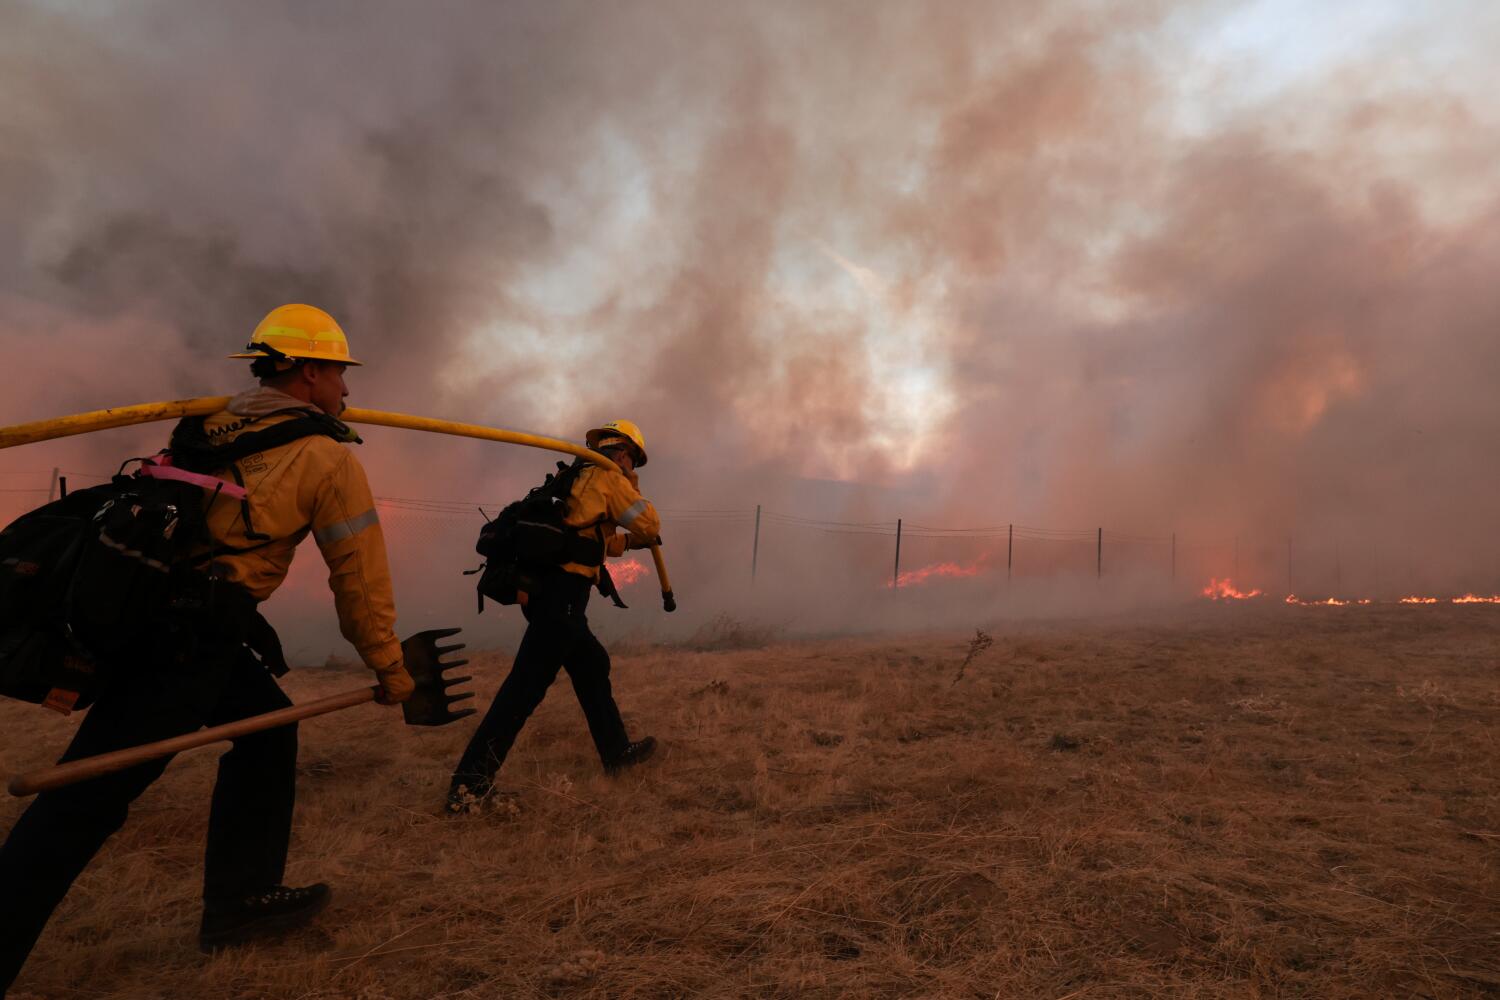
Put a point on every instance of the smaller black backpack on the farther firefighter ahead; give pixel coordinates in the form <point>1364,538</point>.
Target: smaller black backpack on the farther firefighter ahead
<point>529,537</point>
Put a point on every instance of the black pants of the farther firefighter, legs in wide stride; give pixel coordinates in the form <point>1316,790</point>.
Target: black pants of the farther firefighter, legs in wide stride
<point>557,638</point>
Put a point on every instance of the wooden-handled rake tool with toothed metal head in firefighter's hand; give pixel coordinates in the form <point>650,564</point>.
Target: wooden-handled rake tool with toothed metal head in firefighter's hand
<point>431,704</point>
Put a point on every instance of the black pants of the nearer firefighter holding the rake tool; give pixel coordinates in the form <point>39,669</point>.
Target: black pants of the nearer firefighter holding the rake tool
<point>194,674</point>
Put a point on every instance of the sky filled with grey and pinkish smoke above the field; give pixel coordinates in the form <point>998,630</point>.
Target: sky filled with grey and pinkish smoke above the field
<point>1058,265</point>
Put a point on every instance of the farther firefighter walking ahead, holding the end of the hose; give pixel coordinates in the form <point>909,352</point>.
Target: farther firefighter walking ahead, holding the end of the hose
<point>557,626</point>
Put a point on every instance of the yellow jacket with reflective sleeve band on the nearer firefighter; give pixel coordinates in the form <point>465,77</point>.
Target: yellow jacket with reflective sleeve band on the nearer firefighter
<point>313,485</point>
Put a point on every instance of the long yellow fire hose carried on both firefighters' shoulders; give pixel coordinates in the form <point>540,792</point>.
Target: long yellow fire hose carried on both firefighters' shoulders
<point>173,410</point>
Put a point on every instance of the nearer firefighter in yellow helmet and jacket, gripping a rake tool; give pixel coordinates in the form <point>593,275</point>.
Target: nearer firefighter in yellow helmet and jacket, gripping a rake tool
<point>200,669</point>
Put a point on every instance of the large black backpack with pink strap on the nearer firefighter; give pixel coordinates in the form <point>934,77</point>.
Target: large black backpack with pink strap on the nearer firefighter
<point>91,576</point>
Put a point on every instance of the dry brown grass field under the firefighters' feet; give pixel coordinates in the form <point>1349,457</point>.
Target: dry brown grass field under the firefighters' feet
<point>1235,803</point>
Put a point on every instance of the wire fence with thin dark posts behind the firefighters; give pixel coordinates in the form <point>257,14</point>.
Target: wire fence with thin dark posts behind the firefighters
<point>763,543</point>
